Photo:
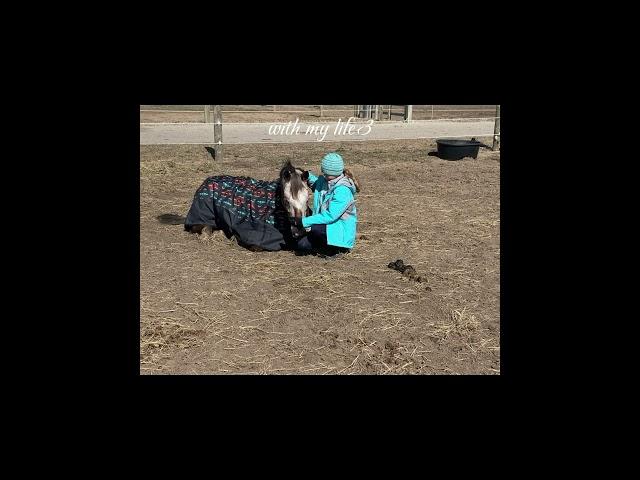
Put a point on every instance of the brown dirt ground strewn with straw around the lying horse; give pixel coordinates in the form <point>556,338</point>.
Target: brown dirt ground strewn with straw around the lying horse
<point>208,306</point>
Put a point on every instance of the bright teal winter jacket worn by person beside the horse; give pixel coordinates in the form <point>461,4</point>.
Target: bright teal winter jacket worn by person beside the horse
<point>334,206</point>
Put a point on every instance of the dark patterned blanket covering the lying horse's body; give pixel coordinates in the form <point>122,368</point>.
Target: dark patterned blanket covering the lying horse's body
<point>249,209</point>
